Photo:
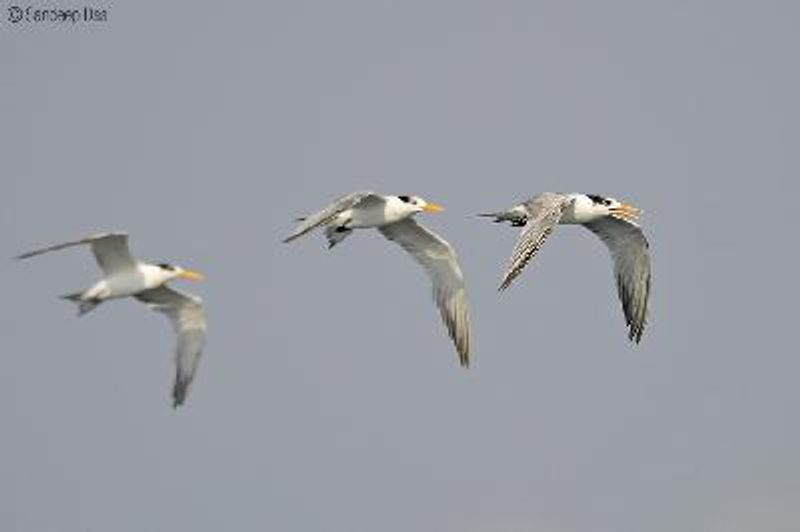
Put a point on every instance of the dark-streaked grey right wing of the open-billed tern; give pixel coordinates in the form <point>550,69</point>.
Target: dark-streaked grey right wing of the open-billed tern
<point>630,252</point>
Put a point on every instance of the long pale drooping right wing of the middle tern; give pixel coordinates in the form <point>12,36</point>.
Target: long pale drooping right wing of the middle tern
<point>440,261</point>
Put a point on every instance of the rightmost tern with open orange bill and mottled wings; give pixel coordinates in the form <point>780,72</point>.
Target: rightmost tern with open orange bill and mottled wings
<point>616,225</point>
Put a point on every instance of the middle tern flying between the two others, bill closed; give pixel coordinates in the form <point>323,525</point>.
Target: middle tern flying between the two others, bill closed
<point>393,216</point>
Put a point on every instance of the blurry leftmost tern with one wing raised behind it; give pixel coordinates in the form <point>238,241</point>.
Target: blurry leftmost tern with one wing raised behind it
<point>125,276</point>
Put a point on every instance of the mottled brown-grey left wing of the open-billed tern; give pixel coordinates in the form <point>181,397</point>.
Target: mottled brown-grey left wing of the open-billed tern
<point>544,212</point>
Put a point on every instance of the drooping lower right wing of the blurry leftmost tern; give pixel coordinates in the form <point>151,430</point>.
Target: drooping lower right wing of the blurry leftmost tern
<point>185,311</point>
